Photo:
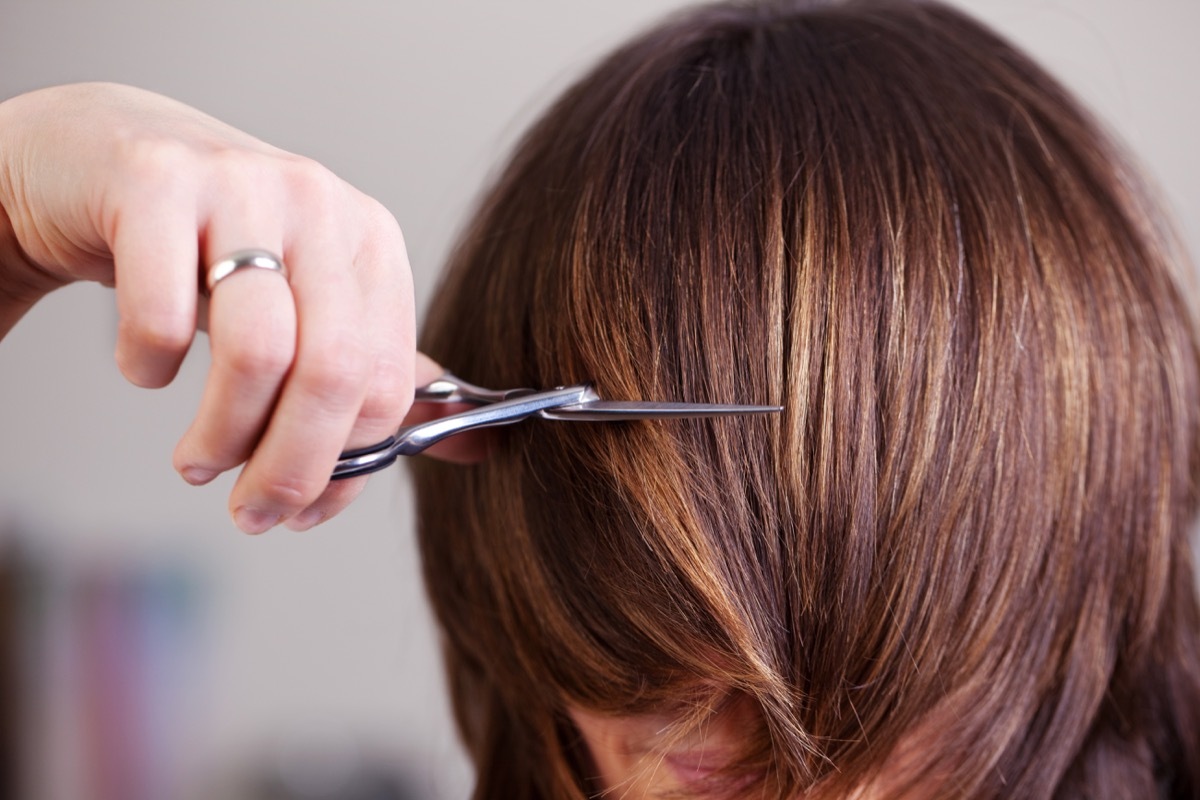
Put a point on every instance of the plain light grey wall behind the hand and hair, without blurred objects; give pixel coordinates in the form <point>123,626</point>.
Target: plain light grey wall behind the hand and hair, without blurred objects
<point>325,636</point>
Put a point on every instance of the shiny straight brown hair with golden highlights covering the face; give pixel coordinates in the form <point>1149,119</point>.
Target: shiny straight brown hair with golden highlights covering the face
<point>957,564</point>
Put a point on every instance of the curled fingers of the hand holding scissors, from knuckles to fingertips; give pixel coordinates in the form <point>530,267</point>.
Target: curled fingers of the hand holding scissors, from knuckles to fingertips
<point>302,369</point>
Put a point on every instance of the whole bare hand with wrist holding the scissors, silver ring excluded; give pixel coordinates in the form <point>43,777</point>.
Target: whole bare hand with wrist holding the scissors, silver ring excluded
<point>111,184</point>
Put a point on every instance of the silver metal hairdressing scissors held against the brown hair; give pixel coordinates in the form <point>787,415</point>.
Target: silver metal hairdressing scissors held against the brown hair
<point>579,404</point>
